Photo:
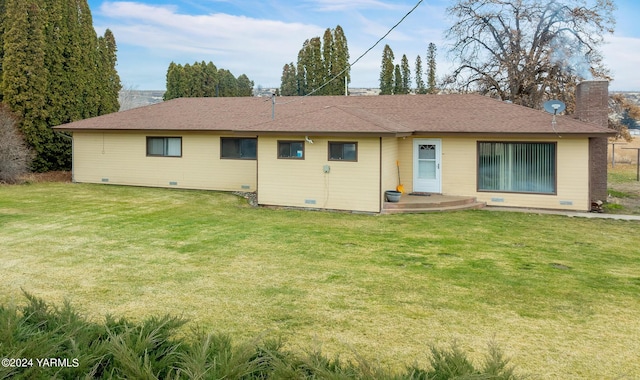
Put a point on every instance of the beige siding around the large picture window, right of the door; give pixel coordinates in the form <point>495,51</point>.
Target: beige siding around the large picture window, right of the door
<point>459,166</point>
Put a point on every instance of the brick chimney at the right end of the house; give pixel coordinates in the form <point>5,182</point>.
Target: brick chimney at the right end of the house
<point>592,106</point>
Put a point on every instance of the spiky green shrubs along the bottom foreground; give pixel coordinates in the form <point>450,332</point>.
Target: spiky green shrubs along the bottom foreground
<point>150,350</point>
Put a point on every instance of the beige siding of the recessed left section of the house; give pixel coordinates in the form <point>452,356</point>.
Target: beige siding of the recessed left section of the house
<point>120,158</point>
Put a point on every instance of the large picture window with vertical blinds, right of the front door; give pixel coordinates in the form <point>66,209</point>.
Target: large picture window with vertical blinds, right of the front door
<point>517,167</point>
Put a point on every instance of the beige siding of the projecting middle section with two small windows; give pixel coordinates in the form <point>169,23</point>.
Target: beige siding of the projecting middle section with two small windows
<point>302,183</point>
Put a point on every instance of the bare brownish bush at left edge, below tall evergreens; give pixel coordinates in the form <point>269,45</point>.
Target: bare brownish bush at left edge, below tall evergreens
<point>15,156</point>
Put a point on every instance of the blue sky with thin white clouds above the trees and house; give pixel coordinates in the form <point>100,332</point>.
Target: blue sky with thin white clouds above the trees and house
<point>257,37</point>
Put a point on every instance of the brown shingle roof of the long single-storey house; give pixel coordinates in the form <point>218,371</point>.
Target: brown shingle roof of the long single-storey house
<point>380,115</point>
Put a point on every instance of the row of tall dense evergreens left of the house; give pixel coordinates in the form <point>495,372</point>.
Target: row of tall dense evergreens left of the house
<point>55,70</point>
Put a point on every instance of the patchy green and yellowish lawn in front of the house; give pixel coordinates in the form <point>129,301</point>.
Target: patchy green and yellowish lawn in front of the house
<point>560,296</point>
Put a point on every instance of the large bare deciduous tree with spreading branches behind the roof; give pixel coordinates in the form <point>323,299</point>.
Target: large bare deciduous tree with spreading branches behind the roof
<point>527,51</point>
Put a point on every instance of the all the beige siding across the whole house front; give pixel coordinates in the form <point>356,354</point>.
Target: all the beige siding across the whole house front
<point>120,158</point>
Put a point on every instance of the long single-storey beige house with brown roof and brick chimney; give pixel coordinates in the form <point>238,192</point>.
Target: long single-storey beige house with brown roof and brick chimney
<point>343,153</point>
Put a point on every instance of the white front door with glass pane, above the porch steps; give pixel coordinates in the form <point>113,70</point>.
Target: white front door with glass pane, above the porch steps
<point>426,166</point>
